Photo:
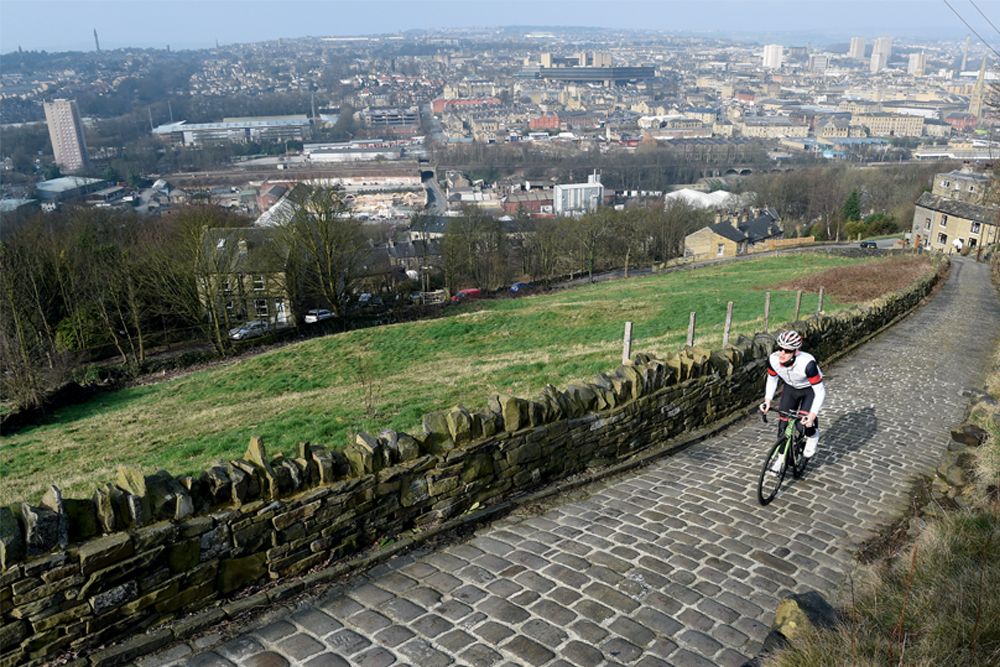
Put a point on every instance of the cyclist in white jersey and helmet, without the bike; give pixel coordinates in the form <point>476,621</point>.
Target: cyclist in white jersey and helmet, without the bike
<point>804,388</point>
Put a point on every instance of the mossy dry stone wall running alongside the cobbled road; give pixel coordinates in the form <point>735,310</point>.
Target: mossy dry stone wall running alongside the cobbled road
<point>155,558</point>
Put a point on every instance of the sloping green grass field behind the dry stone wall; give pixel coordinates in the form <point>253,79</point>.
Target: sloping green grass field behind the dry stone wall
<point>323,389</point>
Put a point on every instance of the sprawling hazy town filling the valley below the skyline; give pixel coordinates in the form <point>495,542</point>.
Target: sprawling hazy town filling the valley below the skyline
<point>229,124</point>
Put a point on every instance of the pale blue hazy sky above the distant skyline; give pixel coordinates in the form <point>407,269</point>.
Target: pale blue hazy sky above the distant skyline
<point>56,25</point>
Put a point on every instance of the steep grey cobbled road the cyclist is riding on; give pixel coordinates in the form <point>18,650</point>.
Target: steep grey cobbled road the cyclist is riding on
<point>676,564</point>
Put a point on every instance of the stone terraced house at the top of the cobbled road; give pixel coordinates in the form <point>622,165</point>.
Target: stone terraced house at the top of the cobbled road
<point>957,213</point>
